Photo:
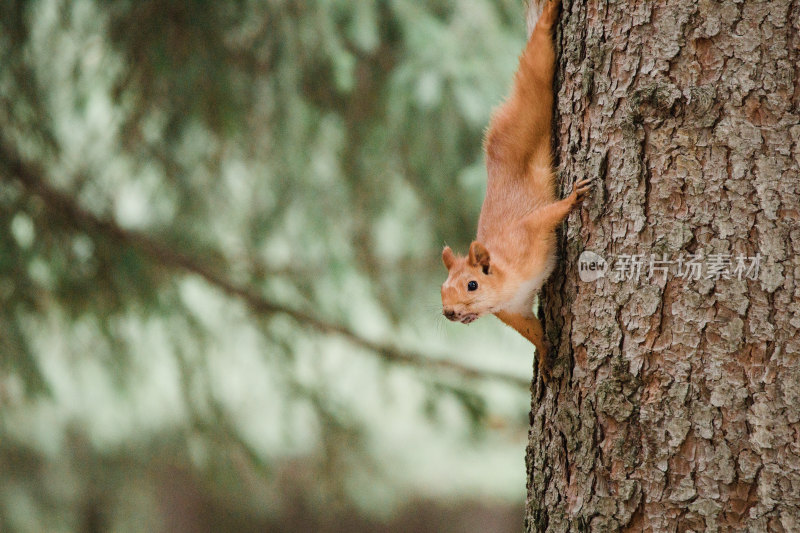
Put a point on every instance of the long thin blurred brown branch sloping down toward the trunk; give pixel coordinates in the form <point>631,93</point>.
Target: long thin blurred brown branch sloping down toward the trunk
<point>65,206</point>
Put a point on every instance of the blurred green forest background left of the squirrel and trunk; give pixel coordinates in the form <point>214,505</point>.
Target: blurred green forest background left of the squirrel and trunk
<point>221,227</point>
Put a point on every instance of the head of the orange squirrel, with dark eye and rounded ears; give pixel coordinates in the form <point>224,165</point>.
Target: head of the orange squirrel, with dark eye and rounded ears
<point>473,286</point>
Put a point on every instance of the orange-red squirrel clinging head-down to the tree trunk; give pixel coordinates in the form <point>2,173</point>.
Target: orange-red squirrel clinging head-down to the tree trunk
<point>515,250</point>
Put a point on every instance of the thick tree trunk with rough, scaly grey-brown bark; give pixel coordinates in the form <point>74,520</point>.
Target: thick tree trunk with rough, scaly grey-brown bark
<point>675,401</point>
